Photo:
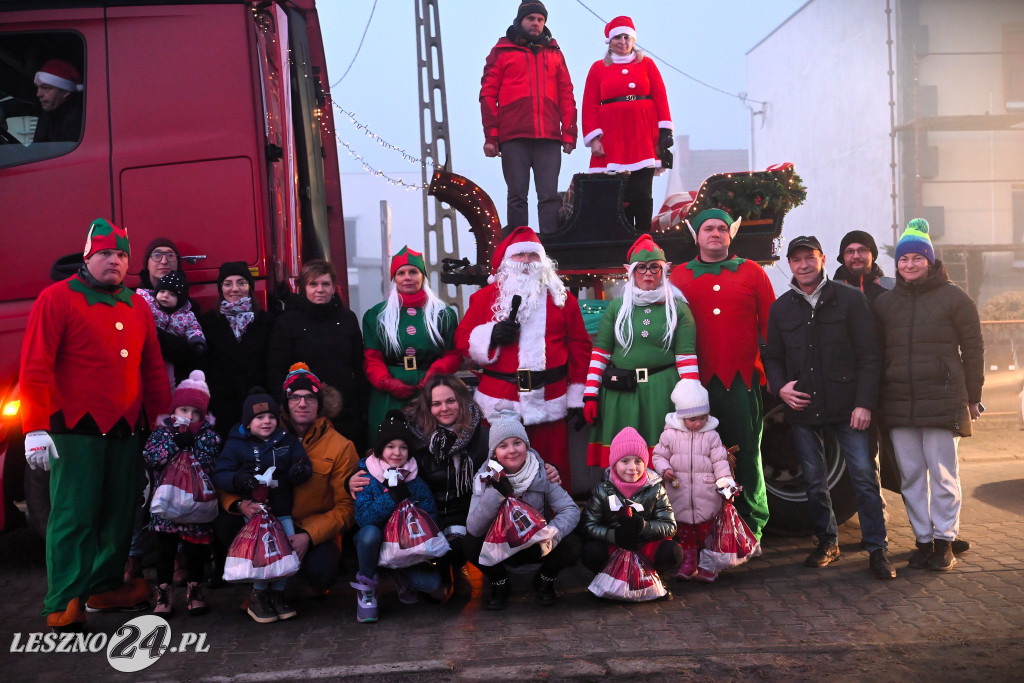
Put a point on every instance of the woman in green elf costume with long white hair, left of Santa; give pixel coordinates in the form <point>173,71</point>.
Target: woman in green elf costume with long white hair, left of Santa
<point>407,338</point>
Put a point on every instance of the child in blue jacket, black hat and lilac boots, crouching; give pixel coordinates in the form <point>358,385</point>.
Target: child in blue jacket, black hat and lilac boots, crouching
<point>374,506</point>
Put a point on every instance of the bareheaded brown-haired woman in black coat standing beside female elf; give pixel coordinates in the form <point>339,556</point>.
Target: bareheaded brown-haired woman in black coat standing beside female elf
<point>319,330</point>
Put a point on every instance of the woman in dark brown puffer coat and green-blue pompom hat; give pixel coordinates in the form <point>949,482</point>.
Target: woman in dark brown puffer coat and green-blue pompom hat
<point>931,390</point>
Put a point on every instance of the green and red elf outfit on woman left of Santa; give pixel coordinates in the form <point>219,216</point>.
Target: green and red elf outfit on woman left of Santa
<point>420,357</point>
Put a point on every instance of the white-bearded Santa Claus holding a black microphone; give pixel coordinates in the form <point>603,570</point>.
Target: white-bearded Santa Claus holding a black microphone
<point>527,333</point>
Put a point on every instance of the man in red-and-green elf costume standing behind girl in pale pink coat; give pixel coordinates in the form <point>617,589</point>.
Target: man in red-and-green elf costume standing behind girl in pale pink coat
<point>731,298</point>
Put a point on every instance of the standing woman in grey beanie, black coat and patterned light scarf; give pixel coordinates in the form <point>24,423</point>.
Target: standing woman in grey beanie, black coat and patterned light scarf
<point>237,334</point>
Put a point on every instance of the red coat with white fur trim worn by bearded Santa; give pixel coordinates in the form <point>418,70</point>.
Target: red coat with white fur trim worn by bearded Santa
<point>551,337</point>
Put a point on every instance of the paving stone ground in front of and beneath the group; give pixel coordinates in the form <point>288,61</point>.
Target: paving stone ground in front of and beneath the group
<point>773,620</point>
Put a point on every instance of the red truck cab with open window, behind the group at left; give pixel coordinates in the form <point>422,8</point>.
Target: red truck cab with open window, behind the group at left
<point>206,123</point>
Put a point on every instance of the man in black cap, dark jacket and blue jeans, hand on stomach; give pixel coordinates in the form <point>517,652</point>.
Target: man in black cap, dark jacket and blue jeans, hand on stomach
<point>824,363</point>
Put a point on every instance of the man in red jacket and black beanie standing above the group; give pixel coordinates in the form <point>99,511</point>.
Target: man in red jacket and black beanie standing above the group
<point>529,114</point>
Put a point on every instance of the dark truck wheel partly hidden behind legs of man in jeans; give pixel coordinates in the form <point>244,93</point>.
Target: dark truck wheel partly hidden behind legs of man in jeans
<point>785,480</point>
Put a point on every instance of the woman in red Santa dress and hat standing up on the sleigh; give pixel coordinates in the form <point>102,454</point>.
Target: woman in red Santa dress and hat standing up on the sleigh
<point>626,119</point>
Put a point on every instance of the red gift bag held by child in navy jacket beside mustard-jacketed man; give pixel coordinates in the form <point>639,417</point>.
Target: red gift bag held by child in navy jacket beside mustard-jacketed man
<point>262,551</point>
